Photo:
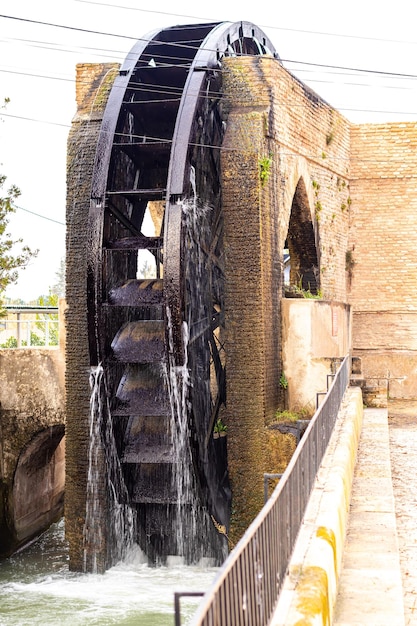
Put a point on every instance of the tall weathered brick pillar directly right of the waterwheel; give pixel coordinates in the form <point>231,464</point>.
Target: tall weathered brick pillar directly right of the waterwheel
<point>252,283</point>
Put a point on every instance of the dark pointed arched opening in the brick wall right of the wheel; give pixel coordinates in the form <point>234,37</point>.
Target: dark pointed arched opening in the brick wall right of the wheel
<point>301,265</point>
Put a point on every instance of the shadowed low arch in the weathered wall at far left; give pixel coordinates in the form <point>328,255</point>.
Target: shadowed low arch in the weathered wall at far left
<point>39,482</point>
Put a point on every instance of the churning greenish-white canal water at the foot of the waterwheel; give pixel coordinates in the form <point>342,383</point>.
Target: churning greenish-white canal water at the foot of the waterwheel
<point>37,588</point>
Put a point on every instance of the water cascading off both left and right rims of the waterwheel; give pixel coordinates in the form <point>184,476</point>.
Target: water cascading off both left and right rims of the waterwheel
<point>190,531</point>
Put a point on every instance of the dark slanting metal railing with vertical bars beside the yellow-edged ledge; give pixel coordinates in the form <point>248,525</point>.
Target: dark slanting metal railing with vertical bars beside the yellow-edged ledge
<point>246,590</point>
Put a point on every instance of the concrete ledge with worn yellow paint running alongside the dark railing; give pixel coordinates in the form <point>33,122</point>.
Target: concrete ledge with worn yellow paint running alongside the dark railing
<point>309,592</point>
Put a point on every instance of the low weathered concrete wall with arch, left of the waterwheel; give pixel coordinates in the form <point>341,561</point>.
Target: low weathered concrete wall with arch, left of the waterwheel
<point>32,418</point>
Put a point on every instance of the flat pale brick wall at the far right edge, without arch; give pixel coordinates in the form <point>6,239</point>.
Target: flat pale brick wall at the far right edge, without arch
<point>383,241</point>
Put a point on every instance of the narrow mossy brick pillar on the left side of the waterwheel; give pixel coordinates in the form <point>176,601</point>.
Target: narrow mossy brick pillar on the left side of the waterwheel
<point>92,90</point>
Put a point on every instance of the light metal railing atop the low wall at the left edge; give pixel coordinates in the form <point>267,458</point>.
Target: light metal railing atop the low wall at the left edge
<point>29,327</point>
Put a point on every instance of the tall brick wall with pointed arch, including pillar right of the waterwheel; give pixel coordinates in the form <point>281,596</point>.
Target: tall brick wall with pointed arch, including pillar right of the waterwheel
<point>271,114</point>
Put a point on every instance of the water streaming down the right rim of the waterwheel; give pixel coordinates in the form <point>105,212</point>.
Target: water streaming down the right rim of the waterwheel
<point>190,388</point>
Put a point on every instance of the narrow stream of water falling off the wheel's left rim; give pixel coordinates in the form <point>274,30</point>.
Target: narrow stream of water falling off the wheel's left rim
<point>110,523</point>
